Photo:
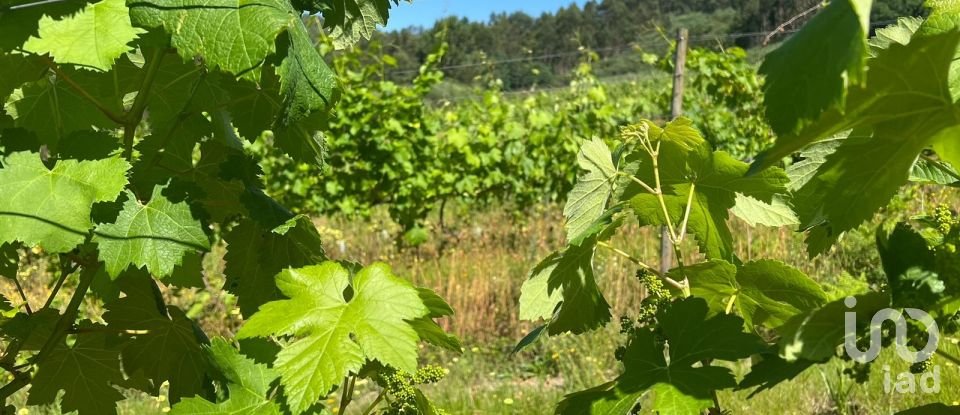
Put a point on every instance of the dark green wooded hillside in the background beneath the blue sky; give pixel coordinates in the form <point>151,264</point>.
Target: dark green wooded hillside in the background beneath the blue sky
<point>524,50</point>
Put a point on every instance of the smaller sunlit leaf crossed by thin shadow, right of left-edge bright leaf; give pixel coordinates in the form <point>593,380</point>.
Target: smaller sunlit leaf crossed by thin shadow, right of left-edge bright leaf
<point>156,235</point>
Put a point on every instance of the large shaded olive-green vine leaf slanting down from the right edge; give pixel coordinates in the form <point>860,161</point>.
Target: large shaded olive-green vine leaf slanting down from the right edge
<point>866,172</point>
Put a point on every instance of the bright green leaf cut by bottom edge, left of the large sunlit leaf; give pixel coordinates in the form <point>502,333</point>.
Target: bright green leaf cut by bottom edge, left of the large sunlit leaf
<point>248,383</point>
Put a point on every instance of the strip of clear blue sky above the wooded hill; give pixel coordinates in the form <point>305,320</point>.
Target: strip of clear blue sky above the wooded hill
<point>425,12</point>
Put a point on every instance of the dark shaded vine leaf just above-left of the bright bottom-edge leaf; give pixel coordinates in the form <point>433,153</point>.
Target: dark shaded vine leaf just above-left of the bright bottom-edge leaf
<point>165,345</point>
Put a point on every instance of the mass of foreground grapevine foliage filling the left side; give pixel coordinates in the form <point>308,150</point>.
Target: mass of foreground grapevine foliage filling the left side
<point>122,156</point>
